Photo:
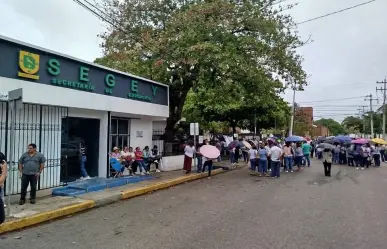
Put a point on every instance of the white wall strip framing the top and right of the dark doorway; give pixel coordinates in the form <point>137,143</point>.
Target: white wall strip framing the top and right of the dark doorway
<point>103,138</point>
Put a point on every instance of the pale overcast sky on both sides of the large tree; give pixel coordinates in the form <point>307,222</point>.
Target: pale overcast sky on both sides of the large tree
<point>345,60</point>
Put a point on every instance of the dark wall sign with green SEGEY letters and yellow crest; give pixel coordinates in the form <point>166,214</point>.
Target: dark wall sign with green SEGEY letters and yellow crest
<point>38,66</point>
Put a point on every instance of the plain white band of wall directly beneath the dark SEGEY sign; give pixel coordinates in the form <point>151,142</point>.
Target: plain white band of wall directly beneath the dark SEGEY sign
<point>59,96</point>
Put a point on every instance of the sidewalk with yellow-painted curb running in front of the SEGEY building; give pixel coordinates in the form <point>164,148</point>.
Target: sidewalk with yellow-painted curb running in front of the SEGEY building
<point>48,208</point>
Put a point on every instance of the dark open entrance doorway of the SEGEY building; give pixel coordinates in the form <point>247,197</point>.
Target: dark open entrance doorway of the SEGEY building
<point>76,131</point>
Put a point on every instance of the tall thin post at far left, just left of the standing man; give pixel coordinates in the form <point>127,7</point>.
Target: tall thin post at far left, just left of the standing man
<point>11,159</point>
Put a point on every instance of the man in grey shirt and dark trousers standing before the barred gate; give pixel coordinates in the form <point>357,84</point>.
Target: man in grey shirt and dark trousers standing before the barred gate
<point>31,165</point>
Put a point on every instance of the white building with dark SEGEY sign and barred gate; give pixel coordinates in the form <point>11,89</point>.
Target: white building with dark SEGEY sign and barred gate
<point>67,101</point>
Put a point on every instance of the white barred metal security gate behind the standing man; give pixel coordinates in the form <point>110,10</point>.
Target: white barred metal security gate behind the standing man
<point>38,124</point>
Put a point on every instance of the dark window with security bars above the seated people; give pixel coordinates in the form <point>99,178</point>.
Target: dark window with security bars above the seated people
<point>120,133</point>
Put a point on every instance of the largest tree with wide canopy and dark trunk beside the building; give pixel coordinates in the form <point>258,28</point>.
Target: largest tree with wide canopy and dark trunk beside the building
<point>194,43</point>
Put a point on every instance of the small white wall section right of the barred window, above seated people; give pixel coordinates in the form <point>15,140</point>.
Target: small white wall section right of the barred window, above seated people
<point>145,126</point>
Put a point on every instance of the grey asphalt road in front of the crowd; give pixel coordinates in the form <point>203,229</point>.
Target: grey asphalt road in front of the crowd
<point>233,211</point>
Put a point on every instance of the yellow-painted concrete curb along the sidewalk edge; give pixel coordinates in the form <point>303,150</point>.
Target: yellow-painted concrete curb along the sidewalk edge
<point>89,204</point>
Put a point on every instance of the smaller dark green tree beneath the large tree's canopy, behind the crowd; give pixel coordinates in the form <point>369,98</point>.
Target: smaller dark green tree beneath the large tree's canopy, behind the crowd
<point>231,104</point>
